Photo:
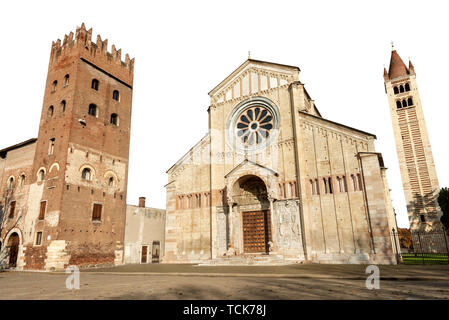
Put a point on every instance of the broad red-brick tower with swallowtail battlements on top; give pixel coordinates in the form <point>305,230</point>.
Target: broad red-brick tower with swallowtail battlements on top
<point>82,152</point>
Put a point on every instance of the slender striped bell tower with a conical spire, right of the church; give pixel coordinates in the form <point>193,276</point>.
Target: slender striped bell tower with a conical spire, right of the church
<point>419,177</point>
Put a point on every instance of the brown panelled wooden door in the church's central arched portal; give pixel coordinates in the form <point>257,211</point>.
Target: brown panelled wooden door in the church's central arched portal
<point>256,231</point>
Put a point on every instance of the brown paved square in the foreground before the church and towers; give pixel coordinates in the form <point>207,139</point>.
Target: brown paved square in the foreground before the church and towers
<point>231,282</point>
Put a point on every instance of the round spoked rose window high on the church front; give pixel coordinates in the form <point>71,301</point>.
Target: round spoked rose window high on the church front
<point>254,124</point>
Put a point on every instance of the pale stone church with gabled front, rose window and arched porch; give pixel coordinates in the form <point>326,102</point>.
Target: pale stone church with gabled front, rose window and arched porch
<point>274,181</point>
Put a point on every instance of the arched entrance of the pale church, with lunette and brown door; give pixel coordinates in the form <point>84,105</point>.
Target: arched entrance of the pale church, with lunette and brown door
<point>250,194</point>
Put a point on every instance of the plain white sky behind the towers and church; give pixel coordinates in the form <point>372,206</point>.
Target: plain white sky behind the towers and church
<point>184,48</point>
